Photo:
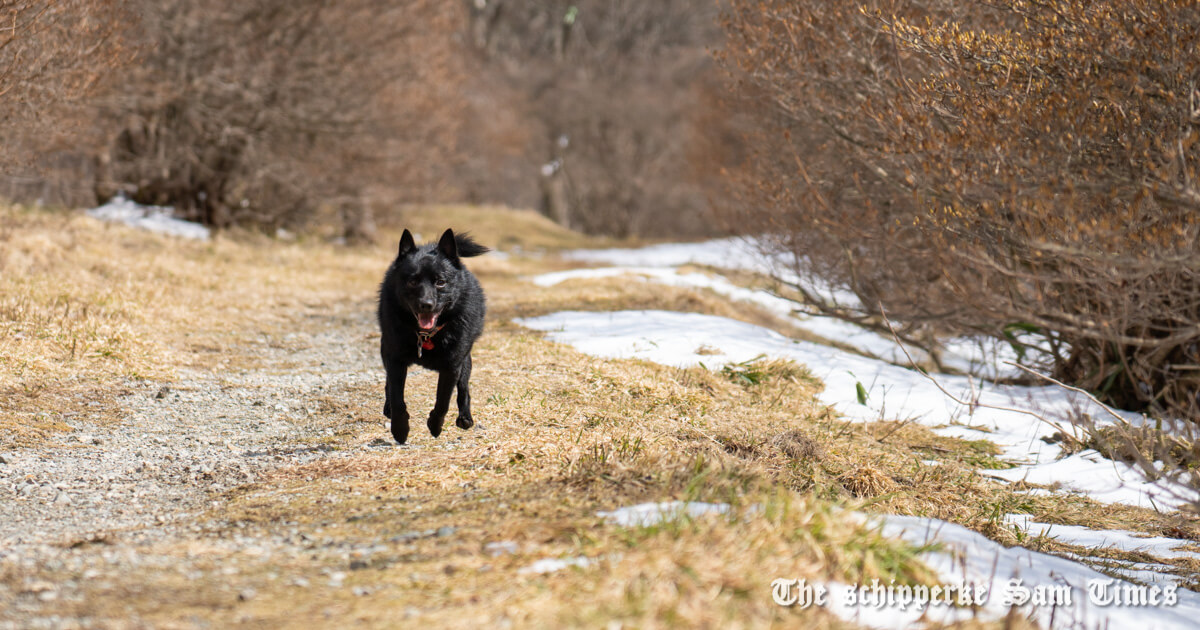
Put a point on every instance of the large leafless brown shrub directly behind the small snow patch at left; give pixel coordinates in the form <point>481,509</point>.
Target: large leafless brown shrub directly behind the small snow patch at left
<point>260,112</point>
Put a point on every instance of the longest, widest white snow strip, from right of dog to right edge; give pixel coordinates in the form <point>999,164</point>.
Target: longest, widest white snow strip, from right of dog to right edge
<point>892,393</point>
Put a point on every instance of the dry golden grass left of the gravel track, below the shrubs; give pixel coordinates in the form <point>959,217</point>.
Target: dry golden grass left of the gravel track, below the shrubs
<point>85,307</point>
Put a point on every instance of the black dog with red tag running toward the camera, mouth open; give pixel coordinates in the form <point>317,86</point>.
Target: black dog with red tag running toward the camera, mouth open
<point>431,313</point>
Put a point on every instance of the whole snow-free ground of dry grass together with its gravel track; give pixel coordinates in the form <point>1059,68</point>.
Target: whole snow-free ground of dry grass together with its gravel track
<point>193,436</point>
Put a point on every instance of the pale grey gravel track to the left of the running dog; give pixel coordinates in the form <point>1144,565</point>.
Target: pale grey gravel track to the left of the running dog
<point>183,442</point>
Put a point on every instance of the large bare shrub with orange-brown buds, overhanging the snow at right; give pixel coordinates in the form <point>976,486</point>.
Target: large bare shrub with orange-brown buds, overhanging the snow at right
<point>1004,167</point>
